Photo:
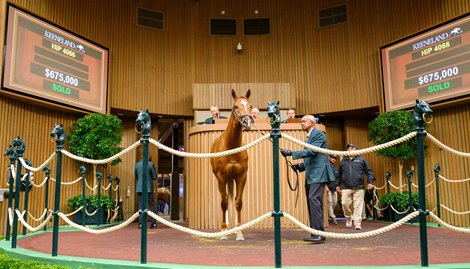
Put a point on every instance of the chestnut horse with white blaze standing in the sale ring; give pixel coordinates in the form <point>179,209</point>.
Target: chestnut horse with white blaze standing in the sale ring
<point>232,169</point>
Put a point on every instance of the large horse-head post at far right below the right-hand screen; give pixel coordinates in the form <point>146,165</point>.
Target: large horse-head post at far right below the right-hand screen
<point>420,112</point>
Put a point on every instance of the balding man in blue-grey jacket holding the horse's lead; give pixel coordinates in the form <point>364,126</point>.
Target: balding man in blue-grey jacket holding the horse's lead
<point>318,173</point>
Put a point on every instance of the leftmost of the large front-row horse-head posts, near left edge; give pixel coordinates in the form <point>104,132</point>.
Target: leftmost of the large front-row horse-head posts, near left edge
<point>20,148</point>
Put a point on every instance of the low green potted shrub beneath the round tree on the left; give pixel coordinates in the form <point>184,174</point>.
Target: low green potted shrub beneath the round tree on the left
<point>91,204</point>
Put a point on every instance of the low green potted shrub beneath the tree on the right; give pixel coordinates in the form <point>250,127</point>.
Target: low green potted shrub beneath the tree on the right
<point>401,202</point>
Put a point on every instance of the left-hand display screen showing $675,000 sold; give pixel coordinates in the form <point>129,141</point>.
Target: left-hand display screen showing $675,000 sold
<point>46,62</point>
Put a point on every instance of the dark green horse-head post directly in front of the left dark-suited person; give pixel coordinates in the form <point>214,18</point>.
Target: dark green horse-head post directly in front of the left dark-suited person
<point>144,125</point>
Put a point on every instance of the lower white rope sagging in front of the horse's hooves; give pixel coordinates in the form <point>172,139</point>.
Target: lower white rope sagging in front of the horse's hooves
<point>206,234</point>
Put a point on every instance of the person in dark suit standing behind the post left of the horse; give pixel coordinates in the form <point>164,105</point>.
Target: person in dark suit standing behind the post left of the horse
<point>151,175</point>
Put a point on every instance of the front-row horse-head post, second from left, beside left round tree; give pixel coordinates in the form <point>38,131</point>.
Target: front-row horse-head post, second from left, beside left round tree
<point>60,141</point>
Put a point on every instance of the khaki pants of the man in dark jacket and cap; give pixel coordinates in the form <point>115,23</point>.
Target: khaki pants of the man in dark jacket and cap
<point>353,202</point>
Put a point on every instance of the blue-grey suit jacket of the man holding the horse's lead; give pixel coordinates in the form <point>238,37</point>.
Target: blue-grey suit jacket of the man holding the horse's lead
<point>316,164</point>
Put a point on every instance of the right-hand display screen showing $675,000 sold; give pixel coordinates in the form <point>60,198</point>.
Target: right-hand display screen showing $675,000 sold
<point>433,65</point>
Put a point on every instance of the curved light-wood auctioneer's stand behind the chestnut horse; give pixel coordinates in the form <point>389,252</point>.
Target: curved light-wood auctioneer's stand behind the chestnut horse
<point>203,196</point>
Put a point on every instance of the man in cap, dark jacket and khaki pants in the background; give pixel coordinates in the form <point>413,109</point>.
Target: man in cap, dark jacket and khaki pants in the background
<point>350,183</point>
